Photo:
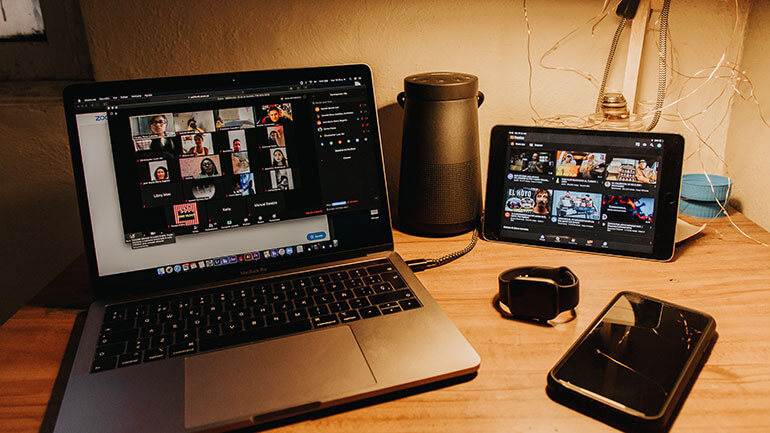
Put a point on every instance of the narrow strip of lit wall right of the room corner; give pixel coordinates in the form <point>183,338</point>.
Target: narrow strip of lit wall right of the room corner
<point>747,154</point>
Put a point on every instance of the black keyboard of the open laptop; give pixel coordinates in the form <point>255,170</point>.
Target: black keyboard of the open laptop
<point>160,328</point>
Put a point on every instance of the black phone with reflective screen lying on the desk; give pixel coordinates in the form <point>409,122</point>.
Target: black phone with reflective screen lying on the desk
<point>635,363</point>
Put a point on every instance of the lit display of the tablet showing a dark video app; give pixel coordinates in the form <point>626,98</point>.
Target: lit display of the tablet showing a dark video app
<point>592,191</point>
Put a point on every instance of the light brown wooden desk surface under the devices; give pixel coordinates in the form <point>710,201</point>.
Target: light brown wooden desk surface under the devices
<point>720,272</point>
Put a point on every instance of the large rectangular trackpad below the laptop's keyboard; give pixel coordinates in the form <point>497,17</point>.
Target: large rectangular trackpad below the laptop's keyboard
<point>277,375</point>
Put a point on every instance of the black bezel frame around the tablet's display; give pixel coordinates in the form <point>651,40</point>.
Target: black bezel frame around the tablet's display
<point>667,199</point>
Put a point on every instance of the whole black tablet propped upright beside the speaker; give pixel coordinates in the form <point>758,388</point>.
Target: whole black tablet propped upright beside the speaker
<point>612,192</point>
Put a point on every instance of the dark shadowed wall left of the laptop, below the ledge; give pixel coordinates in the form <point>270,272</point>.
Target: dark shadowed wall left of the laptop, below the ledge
<point>39,224</point>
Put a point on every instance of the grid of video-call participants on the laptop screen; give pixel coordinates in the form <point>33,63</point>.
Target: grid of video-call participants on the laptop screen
<point>215,167</point>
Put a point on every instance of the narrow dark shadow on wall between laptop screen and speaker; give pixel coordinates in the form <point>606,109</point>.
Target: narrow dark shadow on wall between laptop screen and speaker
<point>391,126</point>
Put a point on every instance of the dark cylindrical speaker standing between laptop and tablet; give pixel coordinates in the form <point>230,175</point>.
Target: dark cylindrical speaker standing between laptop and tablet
<point>440,187</point>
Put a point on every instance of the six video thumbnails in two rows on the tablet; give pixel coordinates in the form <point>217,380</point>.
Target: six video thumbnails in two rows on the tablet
<point>580,189</point>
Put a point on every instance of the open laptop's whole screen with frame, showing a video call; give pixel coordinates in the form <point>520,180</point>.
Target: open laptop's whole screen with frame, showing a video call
<point>229,173</point>
